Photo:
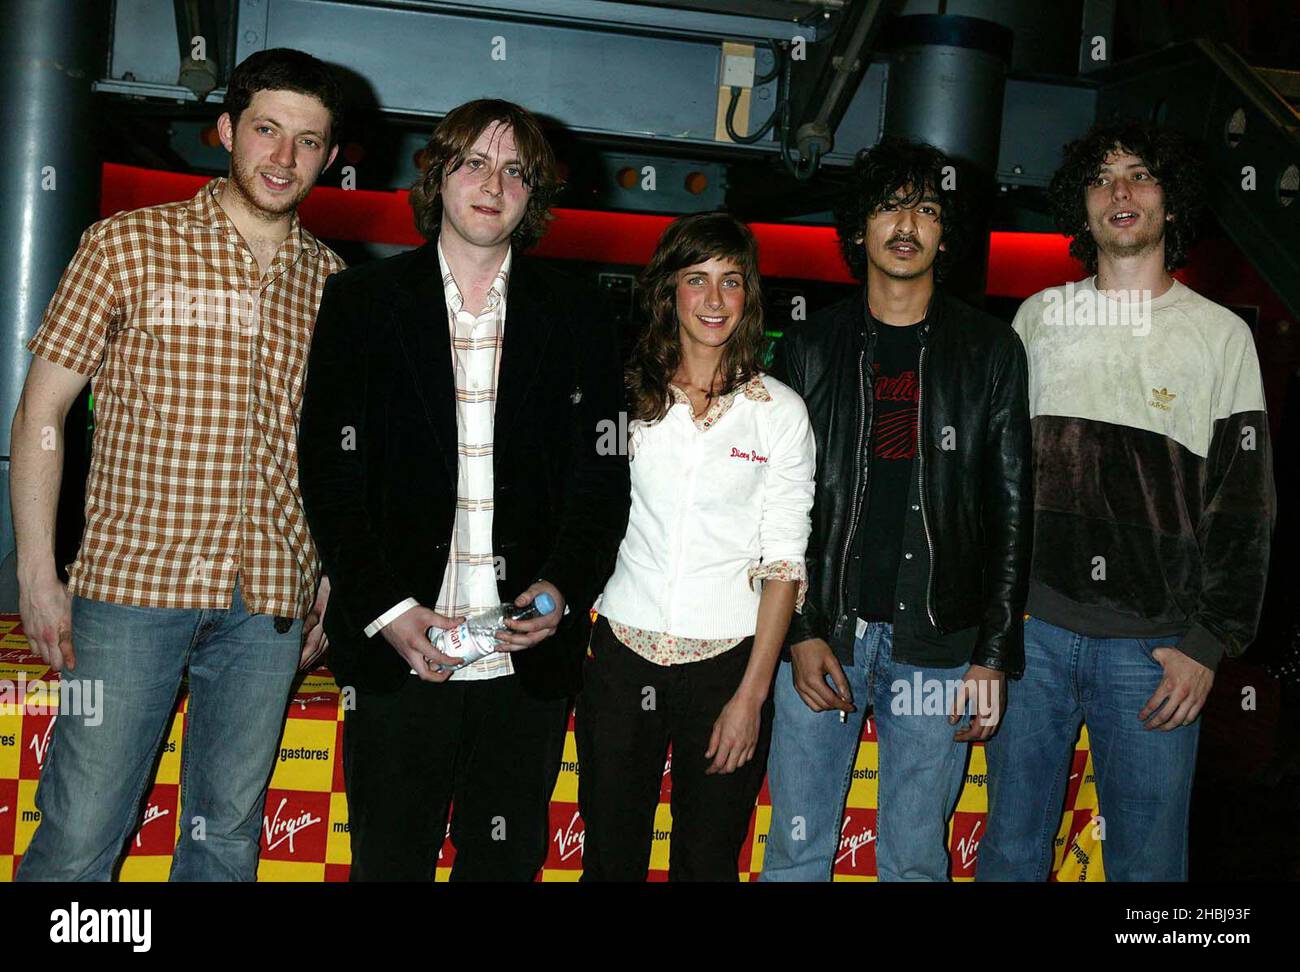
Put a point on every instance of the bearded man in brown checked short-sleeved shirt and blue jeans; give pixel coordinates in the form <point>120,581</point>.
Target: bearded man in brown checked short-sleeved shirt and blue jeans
<point>193,320</point>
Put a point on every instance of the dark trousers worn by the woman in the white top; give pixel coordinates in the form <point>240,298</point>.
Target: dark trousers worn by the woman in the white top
<point>623,732</point>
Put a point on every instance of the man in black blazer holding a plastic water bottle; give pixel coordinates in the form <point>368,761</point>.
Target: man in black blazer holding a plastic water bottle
<point>454,454</point>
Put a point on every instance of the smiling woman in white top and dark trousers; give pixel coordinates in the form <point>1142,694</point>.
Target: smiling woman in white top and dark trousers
<point>709,574</point>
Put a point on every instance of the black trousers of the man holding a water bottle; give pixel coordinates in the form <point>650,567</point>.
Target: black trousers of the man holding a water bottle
<point>486,747</point>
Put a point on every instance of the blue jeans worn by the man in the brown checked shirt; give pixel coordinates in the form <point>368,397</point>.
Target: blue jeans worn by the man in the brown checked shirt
<point>97,770</point>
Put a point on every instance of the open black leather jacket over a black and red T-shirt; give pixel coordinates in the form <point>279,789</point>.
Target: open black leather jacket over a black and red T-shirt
<point>976,471</point>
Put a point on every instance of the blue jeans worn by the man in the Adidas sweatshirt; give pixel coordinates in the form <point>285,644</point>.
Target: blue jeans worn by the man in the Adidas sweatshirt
<point>1145,778</point>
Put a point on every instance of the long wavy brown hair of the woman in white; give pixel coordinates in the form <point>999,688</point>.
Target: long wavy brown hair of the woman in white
<point>691,241</point>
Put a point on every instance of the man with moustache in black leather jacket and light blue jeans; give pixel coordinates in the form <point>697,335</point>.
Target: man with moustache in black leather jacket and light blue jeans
<point>920,554</point>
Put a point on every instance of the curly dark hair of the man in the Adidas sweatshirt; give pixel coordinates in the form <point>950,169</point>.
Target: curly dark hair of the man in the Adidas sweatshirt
<point>1171,157</point>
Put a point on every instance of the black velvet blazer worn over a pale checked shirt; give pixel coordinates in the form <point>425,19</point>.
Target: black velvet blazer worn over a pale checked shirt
<point>378,457</point>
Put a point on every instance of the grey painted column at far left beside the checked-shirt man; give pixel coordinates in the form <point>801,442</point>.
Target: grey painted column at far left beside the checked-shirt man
<point>51,51</point>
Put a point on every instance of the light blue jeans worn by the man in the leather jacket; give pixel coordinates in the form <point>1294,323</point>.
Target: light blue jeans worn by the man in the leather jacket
<point>812,760</point>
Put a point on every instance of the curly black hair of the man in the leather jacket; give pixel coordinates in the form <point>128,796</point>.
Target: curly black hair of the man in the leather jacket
<point>885,172</point>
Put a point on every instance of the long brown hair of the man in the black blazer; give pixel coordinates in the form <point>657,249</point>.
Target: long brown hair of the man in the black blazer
<point>454,140</point>
